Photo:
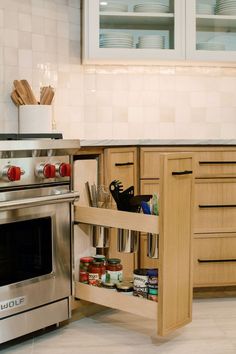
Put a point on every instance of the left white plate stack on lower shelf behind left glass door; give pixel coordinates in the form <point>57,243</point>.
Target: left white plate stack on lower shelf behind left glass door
<point>116,40</point>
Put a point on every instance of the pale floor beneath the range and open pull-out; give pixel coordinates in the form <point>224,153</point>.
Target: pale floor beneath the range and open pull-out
<point>212,331</point>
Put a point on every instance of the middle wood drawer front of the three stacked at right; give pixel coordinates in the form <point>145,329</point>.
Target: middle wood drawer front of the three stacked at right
<point>215,206</point>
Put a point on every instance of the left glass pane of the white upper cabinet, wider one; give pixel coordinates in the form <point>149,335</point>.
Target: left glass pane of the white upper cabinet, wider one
<point>137,24</point>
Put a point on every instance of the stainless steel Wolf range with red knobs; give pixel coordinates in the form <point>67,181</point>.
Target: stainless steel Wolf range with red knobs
<point>35,234</point>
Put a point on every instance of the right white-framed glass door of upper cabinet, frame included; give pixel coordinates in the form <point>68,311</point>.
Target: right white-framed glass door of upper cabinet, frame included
<point>211,30</point>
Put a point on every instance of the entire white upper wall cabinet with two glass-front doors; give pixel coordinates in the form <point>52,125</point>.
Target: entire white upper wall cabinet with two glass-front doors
<point>148,31</point>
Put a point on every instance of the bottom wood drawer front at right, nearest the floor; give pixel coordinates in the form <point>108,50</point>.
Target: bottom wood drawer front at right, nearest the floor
<point>214,261</point>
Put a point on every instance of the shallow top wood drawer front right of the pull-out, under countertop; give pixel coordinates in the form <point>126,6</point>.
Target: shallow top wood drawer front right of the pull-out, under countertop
<point>215,163</point>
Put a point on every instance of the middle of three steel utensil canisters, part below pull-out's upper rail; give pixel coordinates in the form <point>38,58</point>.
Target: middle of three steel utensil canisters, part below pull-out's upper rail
<point>127,240</point>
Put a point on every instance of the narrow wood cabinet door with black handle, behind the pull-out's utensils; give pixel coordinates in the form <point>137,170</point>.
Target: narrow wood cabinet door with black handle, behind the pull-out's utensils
<point>121,164</point>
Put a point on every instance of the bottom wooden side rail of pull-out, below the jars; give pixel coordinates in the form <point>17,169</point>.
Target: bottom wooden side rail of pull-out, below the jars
<point>115,300</point>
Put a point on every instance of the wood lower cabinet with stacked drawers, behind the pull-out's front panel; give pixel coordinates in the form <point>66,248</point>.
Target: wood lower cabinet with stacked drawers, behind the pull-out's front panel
<point>214,208</point>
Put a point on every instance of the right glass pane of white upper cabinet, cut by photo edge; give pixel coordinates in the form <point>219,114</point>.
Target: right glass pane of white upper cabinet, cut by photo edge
<point>216,25</point>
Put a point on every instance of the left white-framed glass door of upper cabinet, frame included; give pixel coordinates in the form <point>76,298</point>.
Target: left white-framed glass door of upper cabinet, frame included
<point>124,31</point>
